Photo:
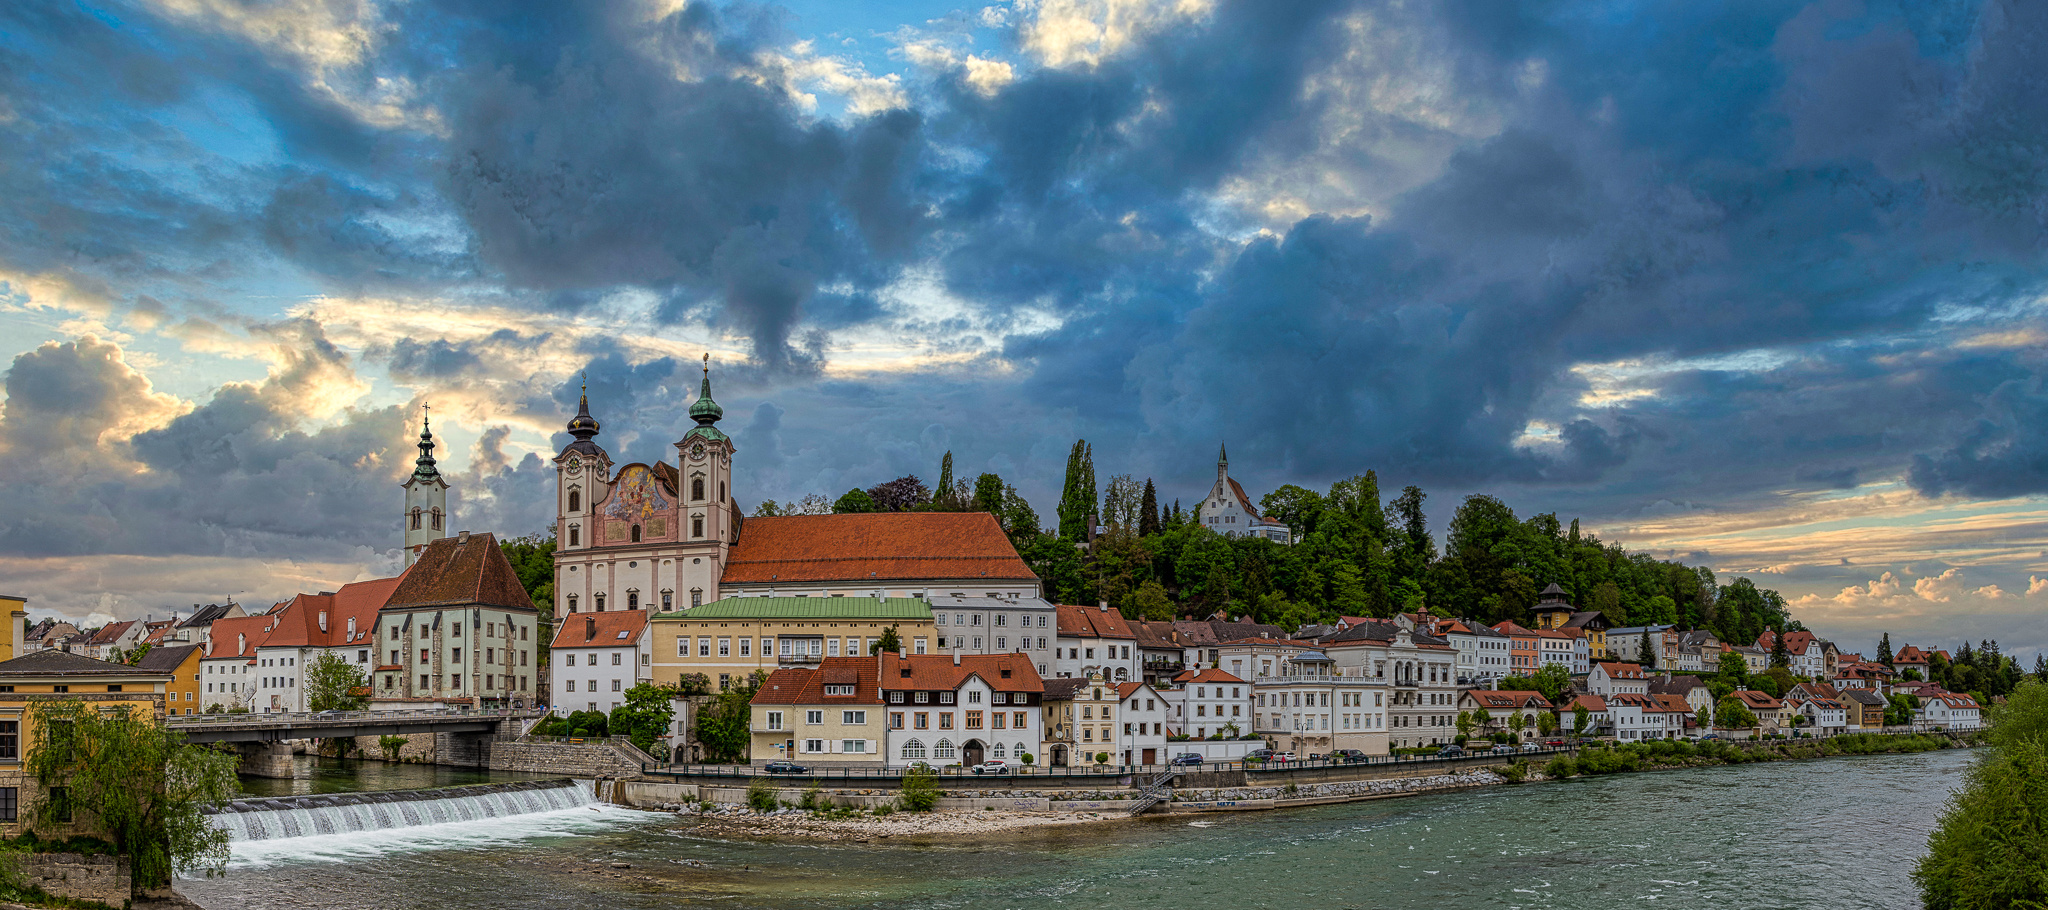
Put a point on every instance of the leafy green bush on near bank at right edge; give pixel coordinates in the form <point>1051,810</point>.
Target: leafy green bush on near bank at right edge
<point>1992,847</point>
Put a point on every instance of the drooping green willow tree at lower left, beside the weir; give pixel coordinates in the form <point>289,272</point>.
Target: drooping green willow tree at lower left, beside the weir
<point>136,782</point>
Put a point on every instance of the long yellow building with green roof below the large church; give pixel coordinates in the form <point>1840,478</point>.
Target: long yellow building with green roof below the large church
<point>730,640</point>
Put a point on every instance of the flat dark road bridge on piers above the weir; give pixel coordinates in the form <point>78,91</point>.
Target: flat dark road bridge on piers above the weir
<point>460,737</point>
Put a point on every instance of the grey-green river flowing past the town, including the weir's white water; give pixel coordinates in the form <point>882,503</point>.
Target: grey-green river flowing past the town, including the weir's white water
<point>1838,833</point>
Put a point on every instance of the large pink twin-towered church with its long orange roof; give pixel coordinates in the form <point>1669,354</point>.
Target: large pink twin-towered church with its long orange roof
<point>654,536</point>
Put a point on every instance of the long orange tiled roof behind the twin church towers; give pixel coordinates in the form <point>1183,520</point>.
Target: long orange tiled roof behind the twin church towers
<point>873,548</point>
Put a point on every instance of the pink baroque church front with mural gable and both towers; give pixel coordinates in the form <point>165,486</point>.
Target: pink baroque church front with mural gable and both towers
<point>644,536</point>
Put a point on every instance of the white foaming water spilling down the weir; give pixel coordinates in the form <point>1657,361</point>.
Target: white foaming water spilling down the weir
<point>374,829</point>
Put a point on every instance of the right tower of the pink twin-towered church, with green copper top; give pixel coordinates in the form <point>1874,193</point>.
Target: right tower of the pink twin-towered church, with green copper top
<point>706,466</point>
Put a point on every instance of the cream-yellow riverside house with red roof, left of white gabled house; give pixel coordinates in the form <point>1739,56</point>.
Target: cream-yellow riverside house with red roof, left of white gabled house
<point>830,716</point>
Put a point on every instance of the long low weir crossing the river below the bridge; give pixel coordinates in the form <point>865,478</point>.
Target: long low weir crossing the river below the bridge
<point>298,817</point>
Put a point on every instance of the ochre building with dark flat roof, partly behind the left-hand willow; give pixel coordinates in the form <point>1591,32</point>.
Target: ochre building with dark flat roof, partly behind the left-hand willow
<point>54,675</point>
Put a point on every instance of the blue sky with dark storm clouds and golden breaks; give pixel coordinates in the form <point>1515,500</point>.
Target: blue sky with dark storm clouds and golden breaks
<point>1754,286</point>
